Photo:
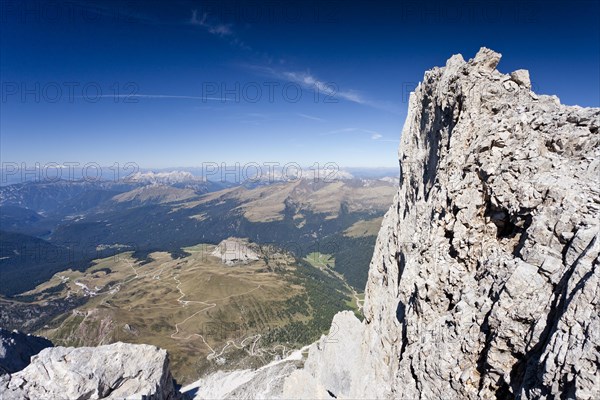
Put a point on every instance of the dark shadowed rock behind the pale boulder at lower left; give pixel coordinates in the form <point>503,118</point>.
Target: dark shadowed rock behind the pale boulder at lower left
<point>16,350</point>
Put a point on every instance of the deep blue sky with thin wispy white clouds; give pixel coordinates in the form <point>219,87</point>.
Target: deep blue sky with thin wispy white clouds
<point>179,83</point>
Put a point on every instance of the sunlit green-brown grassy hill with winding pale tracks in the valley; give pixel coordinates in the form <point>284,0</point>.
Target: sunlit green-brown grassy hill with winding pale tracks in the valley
<point>204,313</point>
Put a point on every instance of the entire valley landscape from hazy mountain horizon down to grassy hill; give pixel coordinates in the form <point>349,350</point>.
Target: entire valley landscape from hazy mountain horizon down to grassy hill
<point>90,263</point>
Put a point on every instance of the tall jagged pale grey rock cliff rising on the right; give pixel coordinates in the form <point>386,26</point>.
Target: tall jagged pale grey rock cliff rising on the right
<point>484,283</point>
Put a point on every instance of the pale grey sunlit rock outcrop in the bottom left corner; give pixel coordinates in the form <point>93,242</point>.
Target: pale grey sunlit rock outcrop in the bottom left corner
<point>116,371</point>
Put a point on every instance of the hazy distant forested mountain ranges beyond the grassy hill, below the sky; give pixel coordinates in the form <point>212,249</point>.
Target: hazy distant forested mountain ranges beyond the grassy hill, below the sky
<point>168,211</point>
